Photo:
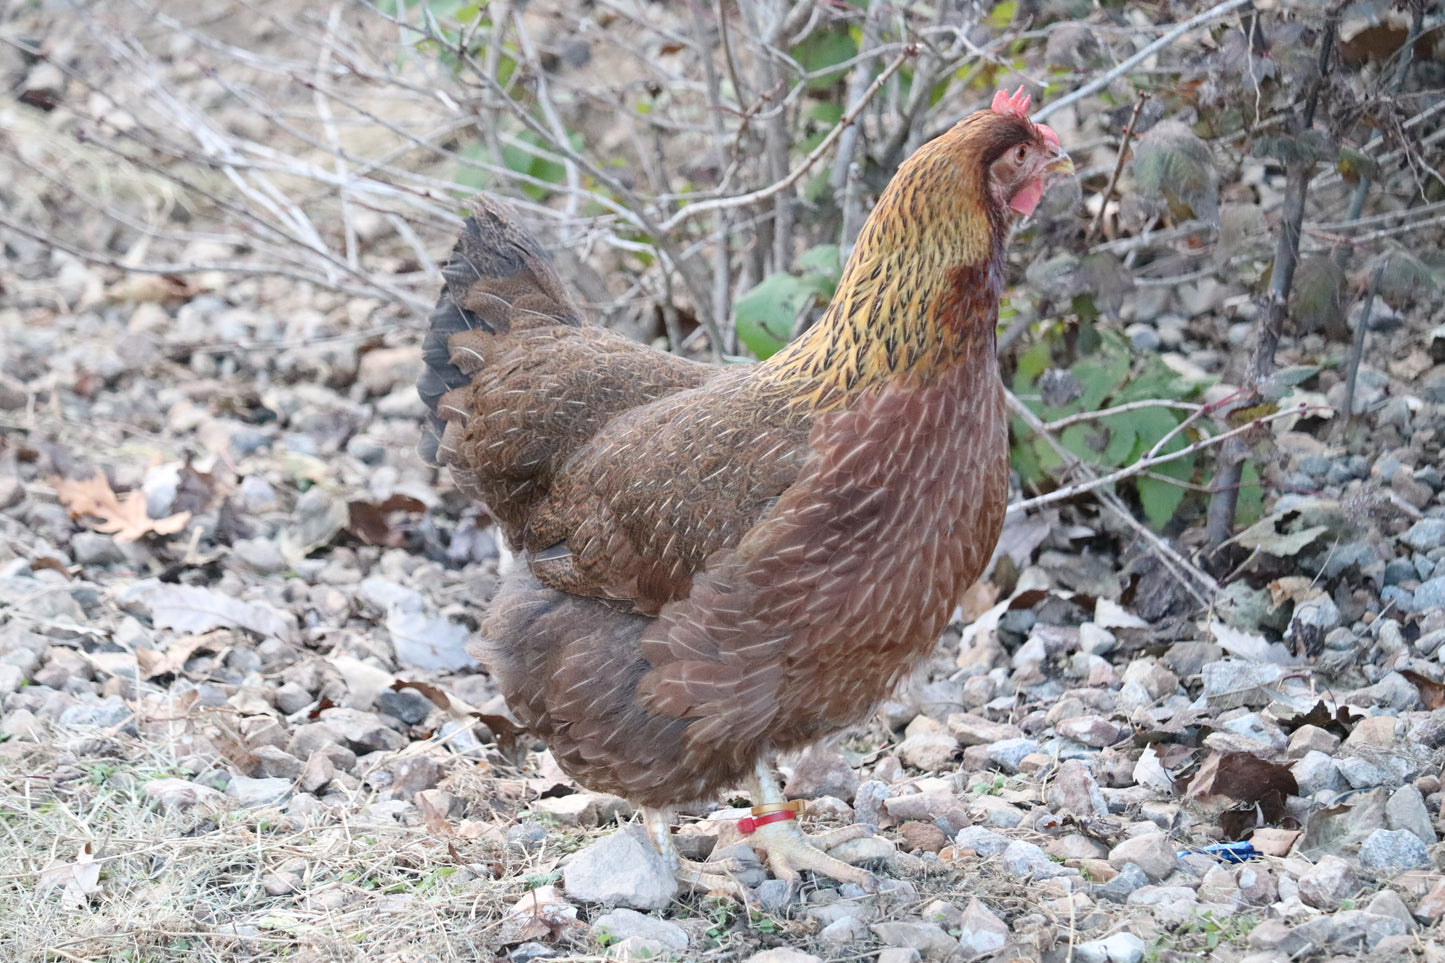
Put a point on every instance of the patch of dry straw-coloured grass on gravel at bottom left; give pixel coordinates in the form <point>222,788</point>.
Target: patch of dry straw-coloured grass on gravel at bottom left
<point>190,884</point>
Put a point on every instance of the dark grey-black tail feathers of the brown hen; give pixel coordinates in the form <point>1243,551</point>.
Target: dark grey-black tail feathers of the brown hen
<point>498,278</point>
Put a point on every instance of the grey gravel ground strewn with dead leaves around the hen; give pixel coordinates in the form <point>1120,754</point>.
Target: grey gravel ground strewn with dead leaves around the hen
<point>239,722</point>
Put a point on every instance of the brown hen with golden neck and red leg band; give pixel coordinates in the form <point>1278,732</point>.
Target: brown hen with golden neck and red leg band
<point>720,563</point>
